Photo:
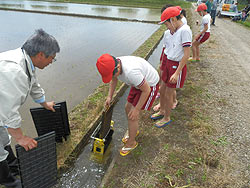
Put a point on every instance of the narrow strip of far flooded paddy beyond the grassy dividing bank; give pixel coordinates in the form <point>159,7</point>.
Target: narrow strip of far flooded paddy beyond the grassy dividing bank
<point>94,10</point>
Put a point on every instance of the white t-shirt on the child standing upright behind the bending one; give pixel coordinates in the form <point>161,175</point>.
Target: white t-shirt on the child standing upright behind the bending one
<point>181,38</point>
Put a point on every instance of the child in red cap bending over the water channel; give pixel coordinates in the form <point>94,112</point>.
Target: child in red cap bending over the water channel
<point>143,79</point>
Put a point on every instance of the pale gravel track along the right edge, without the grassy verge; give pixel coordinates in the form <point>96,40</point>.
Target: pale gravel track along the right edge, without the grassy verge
<point>227,59</point>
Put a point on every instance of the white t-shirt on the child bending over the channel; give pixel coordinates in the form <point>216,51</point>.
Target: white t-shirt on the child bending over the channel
<point>136,70</point>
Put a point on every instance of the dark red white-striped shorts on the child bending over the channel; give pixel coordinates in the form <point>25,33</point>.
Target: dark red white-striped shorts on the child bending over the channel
<point>134,96</point>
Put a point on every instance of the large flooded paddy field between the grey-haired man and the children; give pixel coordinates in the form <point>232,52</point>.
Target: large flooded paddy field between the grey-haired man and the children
<point>73,76</point>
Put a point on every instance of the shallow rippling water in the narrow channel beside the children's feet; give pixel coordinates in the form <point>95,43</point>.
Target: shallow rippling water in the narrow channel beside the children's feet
<point>88,171</point>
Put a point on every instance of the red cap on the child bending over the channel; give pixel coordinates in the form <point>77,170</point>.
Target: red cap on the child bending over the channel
<point>106,65</point>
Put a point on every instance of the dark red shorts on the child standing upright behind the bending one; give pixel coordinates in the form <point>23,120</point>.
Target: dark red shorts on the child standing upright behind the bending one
<point>171,67</point>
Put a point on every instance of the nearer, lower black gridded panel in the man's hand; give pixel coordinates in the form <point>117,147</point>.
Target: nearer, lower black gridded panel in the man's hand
<point>38,167</point>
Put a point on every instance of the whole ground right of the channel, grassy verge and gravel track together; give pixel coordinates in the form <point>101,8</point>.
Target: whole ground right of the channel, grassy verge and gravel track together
<point>208,143</point>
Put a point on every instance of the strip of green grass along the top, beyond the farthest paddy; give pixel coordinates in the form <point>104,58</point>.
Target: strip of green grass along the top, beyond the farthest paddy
<point>132,3</point>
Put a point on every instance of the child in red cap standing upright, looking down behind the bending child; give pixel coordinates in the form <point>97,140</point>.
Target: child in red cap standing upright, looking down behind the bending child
<point>176,56</point>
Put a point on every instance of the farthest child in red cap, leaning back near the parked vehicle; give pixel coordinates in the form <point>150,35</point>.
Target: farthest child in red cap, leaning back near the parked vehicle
<point>204,33</point>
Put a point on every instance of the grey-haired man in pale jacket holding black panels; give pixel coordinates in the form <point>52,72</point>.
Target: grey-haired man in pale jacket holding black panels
<point>17,81</point>
